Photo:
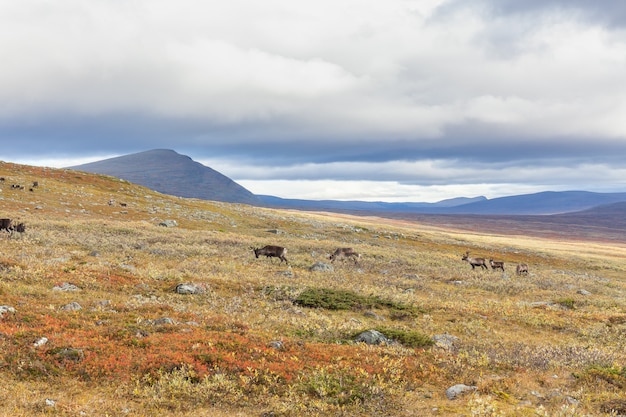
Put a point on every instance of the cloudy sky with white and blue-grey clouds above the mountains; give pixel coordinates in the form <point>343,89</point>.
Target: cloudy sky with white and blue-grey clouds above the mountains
<point>391,100</point>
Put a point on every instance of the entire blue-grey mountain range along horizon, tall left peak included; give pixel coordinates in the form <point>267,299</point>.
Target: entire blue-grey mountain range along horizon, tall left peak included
<point>168,172</point>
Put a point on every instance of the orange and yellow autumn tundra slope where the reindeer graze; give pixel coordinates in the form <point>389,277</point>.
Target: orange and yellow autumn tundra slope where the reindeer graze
<point>532,345</point>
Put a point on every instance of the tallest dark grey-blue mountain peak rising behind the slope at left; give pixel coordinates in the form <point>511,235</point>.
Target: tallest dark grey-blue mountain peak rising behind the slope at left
<point>168,172</point>
